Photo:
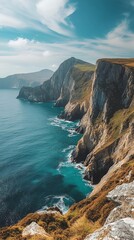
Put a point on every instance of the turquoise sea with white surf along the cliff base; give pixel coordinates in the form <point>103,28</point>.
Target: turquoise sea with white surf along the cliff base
<point>35,166</point>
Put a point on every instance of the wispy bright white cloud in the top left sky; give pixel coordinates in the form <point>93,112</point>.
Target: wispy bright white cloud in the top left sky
<point>37,14</point>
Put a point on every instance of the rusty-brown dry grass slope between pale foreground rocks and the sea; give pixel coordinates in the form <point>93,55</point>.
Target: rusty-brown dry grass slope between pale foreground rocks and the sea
<point>98,207</point>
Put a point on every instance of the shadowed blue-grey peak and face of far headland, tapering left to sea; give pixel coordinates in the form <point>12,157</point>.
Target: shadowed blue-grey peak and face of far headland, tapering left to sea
<point>53,88</point>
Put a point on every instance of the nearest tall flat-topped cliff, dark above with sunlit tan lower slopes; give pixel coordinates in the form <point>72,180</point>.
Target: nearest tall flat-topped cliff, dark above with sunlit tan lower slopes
<point>109,132</point>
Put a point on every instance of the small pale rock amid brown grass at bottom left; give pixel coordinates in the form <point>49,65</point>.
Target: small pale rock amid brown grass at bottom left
<point>34,230</point>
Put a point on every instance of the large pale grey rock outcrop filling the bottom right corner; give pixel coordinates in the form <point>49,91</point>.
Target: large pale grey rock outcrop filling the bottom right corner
<point>120,222</point>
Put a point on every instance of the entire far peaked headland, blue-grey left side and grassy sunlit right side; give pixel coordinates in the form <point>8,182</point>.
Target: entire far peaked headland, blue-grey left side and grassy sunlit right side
<point>68,86</point>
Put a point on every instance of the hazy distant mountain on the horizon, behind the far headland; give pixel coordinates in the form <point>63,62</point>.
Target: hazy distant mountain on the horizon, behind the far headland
<point>25,79</point>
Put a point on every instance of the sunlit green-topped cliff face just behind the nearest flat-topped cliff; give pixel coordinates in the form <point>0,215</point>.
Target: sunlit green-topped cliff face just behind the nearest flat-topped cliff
<point>80,90</point>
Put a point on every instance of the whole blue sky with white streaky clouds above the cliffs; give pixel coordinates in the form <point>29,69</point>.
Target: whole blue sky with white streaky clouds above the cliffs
<point>39,34</point>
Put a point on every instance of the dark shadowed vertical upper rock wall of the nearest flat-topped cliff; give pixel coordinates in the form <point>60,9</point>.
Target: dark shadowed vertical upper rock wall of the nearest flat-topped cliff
<point>113,89</point>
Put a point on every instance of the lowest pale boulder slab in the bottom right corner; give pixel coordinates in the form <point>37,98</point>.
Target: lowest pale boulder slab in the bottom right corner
<point>120,230</point>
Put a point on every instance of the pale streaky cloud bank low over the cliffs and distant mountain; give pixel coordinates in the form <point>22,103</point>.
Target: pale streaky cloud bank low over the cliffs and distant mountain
<point>24,55</point>
